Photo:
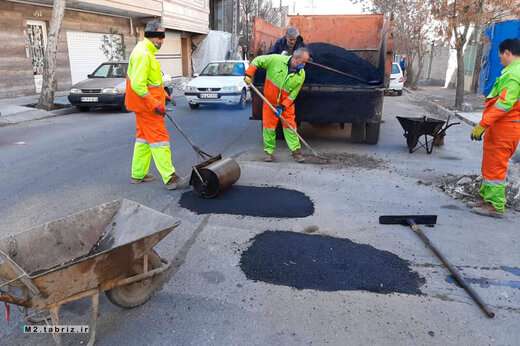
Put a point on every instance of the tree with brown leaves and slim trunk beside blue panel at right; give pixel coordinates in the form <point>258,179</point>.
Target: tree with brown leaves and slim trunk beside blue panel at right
<point>458,17</point>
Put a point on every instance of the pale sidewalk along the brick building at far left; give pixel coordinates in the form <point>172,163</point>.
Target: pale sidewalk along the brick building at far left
<point>16,110</point>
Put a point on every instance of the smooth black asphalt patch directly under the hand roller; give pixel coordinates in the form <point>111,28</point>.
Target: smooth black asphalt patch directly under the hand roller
<point>256,201</point>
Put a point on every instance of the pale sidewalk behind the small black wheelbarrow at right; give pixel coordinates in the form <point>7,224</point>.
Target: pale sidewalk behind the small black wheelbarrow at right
<point>442,100</point>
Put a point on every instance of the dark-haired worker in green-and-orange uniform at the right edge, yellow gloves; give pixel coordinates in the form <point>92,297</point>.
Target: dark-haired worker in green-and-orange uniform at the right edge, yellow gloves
<point>501,125</point>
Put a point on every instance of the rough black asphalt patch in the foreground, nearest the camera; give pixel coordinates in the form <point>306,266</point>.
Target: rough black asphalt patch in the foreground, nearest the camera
<point>325,263</point>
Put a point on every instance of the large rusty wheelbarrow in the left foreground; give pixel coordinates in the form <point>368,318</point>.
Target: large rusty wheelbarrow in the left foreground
<point>108,248</point>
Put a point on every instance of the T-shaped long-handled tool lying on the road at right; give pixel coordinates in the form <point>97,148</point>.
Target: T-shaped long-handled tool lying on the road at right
<point>413,221</point>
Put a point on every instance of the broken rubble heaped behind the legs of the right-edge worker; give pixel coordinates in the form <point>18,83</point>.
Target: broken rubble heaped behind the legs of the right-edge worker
<point>466,187</point>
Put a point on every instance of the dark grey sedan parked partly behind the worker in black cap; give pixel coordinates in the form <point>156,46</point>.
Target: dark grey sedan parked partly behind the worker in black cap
<point>105,87</point>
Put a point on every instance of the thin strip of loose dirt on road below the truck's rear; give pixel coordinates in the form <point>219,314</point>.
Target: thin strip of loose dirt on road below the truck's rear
<point>344,160</point>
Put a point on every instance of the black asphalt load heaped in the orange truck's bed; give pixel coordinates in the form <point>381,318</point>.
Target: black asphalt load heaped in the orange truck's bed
<point>339,59</point>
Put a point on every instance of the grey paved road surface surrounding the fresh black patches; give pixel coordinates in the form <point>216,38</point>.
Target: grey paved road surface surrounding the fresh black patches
<point>58,166</point>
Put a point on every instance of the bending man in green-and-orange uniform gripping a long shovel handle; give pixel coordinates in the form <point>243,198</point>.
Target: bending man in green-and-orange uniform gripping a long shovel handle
<point>285,76</point>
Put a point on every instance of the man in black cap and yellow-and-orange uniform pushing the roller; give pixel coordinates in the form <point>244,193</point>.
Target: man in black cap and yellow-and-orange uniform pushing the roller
<point>146,97</point>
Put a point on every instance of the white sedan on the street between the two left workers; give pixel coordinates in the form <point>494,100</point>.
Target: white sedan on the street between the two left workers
<point>219,82</point>
